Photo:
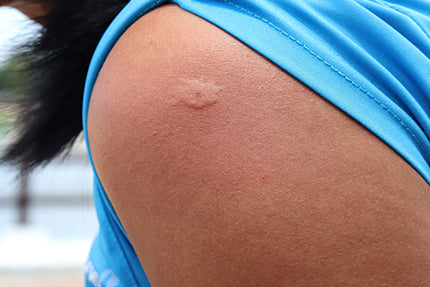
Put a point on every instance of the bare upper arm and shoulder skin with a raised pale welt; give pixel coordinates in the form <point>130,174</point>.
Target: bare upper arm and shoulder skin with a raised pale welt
<point>227,171</point>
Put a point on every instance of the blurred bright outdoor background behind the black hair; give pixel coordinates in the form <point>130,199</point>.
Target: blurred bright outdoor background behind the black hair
<point>47,220</point>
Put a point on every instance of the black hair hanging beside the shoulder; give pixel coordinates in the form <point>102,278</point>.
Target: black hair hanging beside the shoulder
<point>50,118</point>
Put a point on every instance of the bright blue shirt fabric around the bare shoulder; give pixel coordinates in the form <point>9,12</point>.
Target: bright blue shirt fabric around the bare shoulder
<point>370,58</point>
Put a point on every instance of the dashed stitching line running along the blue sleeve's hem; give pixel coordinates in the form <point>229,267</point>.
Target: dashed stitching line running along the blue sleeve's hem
<point>395,116</point>
